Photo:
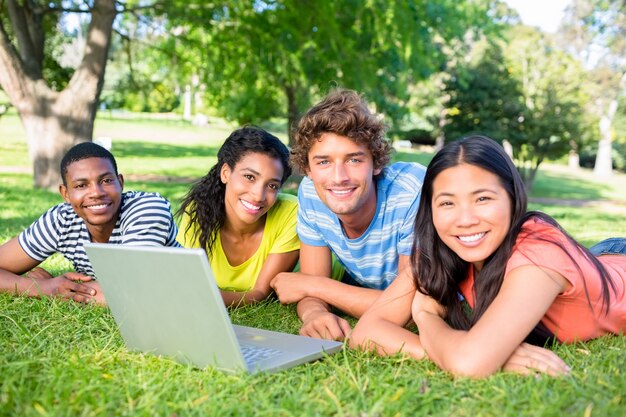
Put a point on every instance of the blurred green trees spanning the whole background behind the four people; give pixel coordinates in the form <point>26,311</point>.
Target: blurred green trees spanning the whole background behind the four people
<point>435,70</point>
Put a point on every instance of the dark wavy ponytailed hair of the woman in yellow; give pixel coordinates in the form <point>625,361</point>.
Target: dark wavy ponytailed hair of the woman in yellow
<point>204,203</point>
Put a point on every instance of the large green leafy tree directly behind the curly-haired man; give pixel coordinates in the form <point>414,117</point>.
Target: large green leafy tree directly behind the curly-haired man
<point>267,59</point>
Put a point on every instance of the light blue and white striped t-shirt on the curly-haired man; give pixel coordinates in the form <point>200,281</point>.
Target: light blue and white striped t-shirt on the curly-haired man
<point>372,258</point>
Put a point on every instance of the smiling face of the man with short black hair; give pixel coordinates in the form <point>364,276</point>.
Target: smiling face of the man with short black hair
<point>94,191</point>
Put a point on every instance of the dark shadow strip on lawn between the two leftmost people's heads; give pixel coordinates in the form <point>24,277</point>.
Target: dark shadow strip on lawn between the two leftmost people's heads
<point>124,149</point>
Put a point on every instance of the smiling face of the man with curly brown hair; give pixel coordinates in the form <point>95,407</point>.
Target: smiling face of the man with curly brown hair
<point>343,172</point>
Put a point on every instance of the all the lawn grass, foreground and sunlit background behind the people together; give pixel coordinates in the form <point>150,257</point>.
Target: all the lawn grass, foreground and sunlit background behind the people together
<point>60,359</point>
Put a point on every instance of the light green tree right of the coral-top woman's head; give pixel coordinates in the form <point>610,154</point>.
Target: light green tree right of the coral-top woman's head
<point>554,99</point>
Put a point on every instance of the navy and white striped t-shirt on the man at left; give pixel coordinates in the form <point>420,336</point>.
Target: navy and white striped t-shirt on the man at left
<point>144,219</point>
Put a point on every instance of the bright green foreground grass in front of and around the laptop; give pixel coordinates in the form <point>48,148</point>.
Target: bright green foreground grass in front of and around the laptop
<point>61,358</point>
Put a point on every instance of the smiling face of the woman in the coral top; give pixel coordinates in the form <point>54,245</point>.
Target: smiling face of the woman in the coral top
<point>471,212</point>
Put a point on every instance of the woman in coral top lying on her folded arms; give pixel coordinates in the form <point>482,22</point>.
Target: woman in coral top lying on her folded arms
<point>493,280</point>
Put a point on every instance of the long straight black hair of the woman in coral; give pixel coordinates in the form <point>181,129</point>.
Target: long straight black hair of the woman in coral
<point>438,271</point>
